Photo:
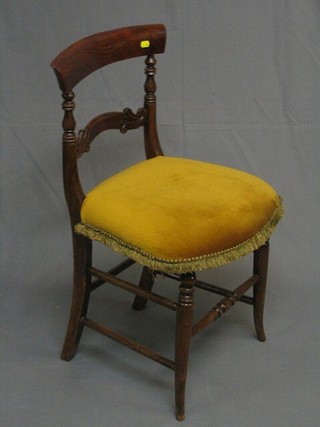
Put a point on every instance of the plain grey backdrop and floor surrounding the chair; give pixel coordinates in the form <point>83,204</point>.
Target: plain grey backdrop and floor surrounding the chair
<point>239,85</point>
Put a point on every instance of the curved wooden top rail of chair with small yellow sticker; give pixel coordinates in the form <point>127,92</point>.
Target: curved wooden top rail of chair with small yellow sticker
<point>91,53</point>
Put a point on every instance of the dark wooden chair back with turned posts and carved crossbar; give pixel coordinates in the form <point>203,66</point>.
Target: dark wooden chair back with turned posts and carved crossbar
<point>81,59</point>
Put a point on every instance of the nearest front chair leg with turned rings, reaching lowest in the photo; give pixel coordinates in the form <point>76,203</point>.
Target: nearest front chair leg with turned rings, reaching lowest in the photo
<point>183,338</point>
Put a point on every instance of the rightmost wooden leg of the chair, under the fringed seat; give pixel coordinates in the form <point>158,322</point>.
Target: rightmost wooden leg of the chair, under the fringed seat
<point>261,257</point>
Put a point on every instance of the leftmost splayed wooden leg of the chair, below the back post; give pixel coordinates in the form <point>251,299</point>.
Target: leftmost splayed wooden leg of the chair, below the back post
<point>82,252</point>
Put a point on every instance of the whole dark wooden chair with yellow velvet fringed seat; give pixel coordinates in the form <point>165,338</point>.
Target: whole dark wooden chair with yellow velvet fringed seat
<point>173,216</point>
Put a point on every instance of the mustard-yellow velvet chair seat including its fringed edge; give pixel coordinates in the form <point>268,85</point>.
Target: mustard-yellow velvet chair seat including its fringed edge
<point>179,215</point>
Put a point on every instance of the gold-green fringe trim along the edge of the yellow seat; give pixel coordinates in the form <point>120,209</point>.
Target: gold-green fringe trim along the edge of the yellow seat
<point>179,266</point>
